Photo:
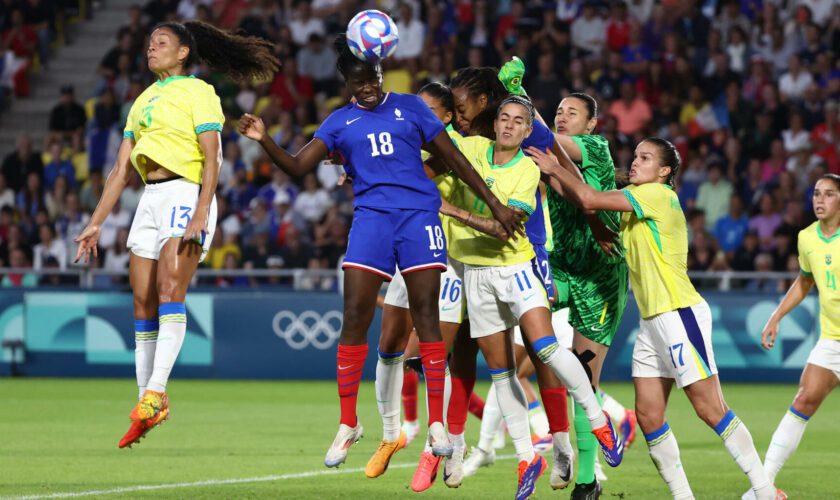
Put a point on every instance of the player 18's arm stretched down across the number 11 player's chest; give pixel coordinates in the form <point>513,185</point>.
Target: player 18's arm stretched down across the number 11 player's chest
<point>442,147</point>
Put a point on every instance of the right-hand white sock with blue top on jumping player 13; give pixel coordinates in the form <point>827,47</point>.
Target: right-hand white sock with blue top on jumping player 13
<point>172,318</point>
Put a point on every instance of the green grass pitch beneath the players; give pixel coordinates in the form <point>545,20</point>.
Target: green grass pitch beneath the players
<point>59,436</point>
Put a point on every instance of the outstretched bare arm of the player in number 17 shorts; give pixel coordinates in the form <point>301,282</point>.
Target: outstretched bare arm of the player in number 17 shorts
<point>574,189</point>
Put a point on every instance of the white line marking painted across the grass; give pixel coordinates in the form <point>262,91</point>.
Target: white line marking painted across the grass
<point>212,482</point>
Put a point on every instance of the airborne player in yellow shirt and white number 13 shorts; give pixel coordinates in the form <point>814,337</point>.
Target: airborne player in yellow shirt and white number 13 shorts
<point>172,138</point>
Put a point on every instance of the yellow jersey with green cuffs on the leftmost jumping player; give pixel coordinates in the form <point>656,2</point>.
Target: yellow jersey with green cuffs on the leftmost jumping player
<point>165,120</point>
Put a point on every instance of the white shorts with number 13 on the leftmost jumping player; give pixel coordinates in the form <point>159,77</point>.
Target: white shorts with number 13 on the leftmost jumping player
<point>164,211</point>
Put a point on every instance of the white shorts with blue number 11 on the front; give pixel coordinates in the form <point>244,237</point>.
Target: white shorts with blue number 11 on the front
<point>498,296</point>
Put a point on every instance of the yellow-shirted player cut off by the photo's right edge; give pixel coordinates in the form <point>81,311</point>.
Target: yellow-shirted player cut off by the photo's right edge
<point>819,261</point>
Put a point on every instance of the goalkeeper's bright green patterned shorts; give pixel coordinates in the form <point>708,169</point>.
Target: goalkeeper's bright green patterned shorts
<point>596,301</point>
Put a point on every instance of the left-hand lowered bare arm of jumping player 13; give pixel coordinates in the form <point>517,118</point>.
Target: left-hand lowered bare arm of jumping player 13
<point>114,186</point>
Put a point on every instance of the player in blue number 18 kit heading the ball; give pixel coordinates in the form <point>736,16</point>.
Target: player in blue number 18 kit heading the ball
<point>395,224</point>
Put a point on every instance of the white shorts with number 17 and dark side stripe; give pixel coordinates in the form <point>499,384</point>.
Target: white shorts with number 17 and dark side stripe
<point>676,344</point>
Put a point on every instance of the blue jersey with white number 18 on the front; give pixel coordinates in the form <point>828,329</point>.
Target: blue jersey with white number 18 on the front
<point>381,150</point>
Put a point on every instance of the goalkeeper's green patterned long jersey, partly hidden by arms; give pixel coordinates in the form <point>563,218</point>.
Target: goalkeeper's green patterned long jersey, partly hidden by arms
<point>575,249</point>
